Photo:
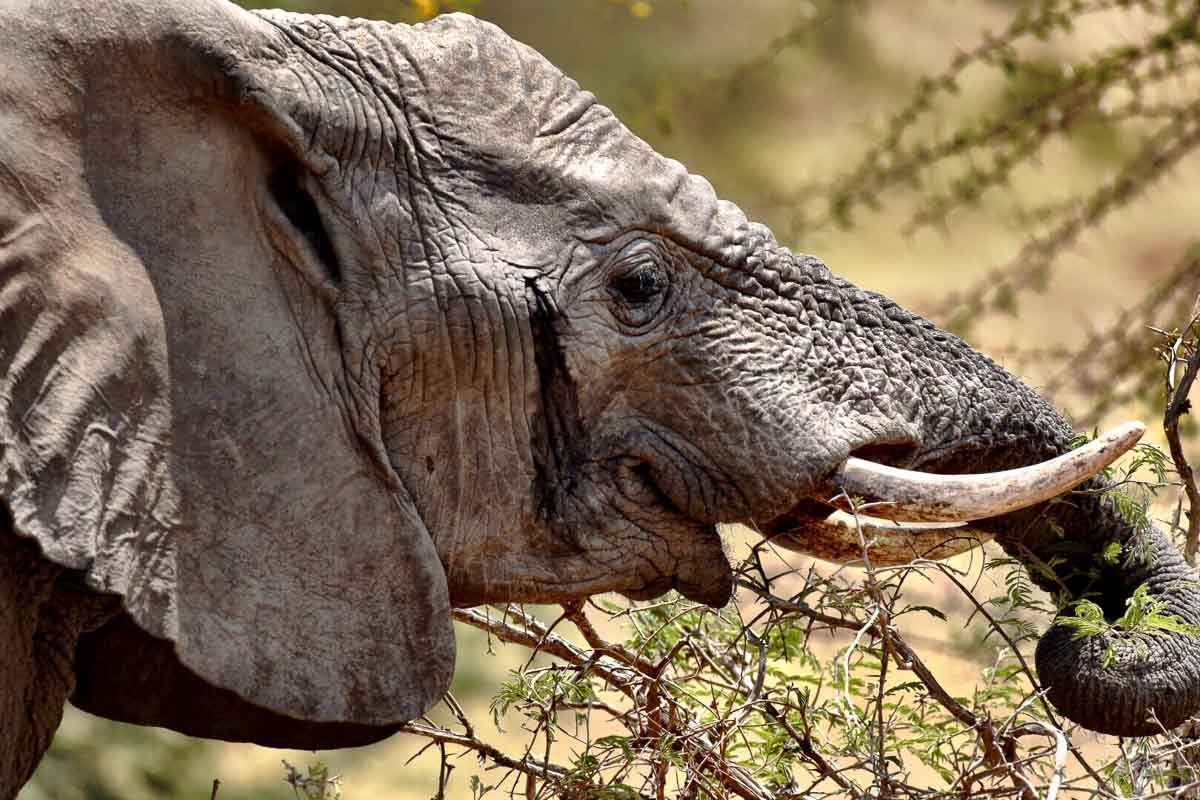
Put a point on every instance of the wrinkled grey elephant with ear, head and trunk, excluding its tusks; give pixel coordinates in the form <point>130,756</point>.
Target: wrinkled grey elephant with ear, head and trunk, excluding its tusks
<point>311,329</point>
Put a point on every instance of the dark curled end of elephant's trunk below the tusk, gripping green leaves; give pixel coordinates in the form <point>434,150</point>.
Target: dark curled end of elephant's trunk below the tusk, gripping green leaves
<point>1124,683</point>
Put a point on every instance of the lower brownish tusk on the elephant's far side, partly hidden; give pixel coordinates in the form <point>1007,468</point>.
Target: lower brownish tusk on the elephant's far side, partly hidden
<point>836,539</point>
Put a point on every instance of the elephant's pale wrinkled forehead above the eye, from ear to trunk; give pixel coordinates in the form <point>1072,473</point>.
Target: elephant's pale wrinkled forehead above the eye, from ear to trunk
<point>499,125</point>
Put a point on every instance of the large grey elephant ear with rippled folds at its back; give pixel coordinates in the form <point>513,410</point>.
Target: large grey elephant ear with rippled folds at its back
<point>177,417</point>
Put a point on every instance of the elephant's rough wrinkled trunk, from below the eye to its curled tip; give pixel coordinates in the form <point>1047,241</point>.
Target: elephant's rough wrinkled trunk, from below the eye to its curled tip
<point>944,408</point>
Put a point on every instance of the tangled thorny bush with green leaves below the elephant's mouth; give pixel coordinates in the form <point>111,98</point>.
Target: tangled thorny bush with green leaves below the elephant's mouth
<point>706,712</point>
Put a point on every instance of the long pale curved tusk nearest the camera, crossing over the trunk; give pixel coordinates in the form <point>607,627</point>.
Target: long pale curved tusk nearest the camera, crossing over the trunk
<point>921,497</point>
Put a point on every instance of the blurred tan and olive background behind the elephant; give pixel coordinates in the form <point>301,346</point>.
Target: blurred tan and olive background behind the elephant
<point>1025,183</point>
